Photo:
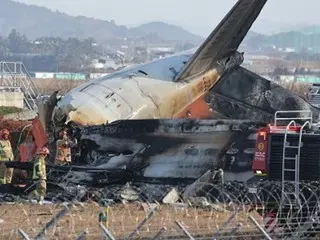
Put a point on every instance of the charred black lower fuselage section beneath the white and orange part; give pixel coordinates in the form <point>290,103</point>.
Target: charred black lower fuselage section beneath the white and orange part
<point>164,150</point>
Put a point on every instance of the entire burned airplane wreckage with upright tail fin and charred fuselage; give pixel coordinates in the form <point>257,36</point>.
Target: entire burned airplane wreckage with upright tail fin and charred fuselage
<point>169,121</point>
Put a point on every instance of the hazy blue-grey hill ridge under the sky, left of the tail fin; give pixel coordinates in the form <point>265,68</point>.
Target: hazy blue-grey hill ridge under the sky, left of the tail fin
<point>34,22</point>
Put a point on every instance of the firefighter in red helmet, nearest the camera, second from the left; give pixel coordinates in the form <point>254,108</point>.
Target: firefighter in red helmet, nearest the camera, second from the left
<point>40,174</point>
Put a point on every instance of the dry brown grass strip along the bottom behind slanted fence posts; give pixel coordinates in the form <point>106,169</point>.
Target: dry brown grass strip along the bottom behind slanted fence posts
<point>123,220</point>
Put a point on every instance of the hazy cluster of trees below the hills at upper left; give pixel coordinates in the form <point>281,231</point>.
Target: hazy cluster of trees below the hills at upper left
<point>53,52</point>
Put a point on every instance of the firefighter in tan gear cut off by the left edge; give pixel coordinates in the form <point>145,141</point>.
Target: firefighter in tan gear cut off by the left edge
<point>6,154</point>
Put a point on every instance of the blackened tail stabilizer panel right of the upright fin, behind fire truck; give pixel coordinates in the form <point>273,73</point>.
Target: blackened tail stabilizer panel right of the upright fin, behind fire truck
<point>241,94</point>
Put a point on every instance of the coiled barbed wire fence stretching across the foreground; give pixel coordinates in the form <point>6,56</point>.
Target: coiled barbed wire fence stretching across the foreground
<point>215,209</point>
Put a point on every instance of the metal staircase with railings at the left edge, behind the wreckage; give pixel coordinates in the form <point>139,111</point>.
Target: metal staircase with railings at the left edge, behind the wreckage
<point>15,74</point>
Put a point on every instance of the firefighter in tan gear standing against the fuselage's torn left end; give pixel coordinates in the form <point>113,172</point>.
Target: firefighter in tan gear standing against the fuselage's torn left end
<point>63,152</point>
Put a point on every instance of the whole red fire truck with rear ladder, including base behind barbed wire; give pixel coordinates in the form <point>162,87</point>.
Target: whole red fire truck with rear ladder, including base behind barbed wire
<point>287,153</point>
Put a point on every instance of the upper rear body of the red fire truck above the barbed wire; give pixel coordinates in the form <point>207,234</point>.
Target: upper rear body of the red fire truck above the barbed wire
<point>289,149</point>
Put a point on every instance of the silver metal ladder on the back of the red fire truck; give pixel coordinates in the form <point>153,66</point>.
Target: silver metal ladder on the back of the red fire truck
<point>291,195</point>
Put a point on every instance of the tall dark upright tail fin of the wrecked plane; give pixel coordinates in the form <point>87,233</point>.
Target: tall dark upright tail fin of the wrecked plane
<point>222,44</point>
